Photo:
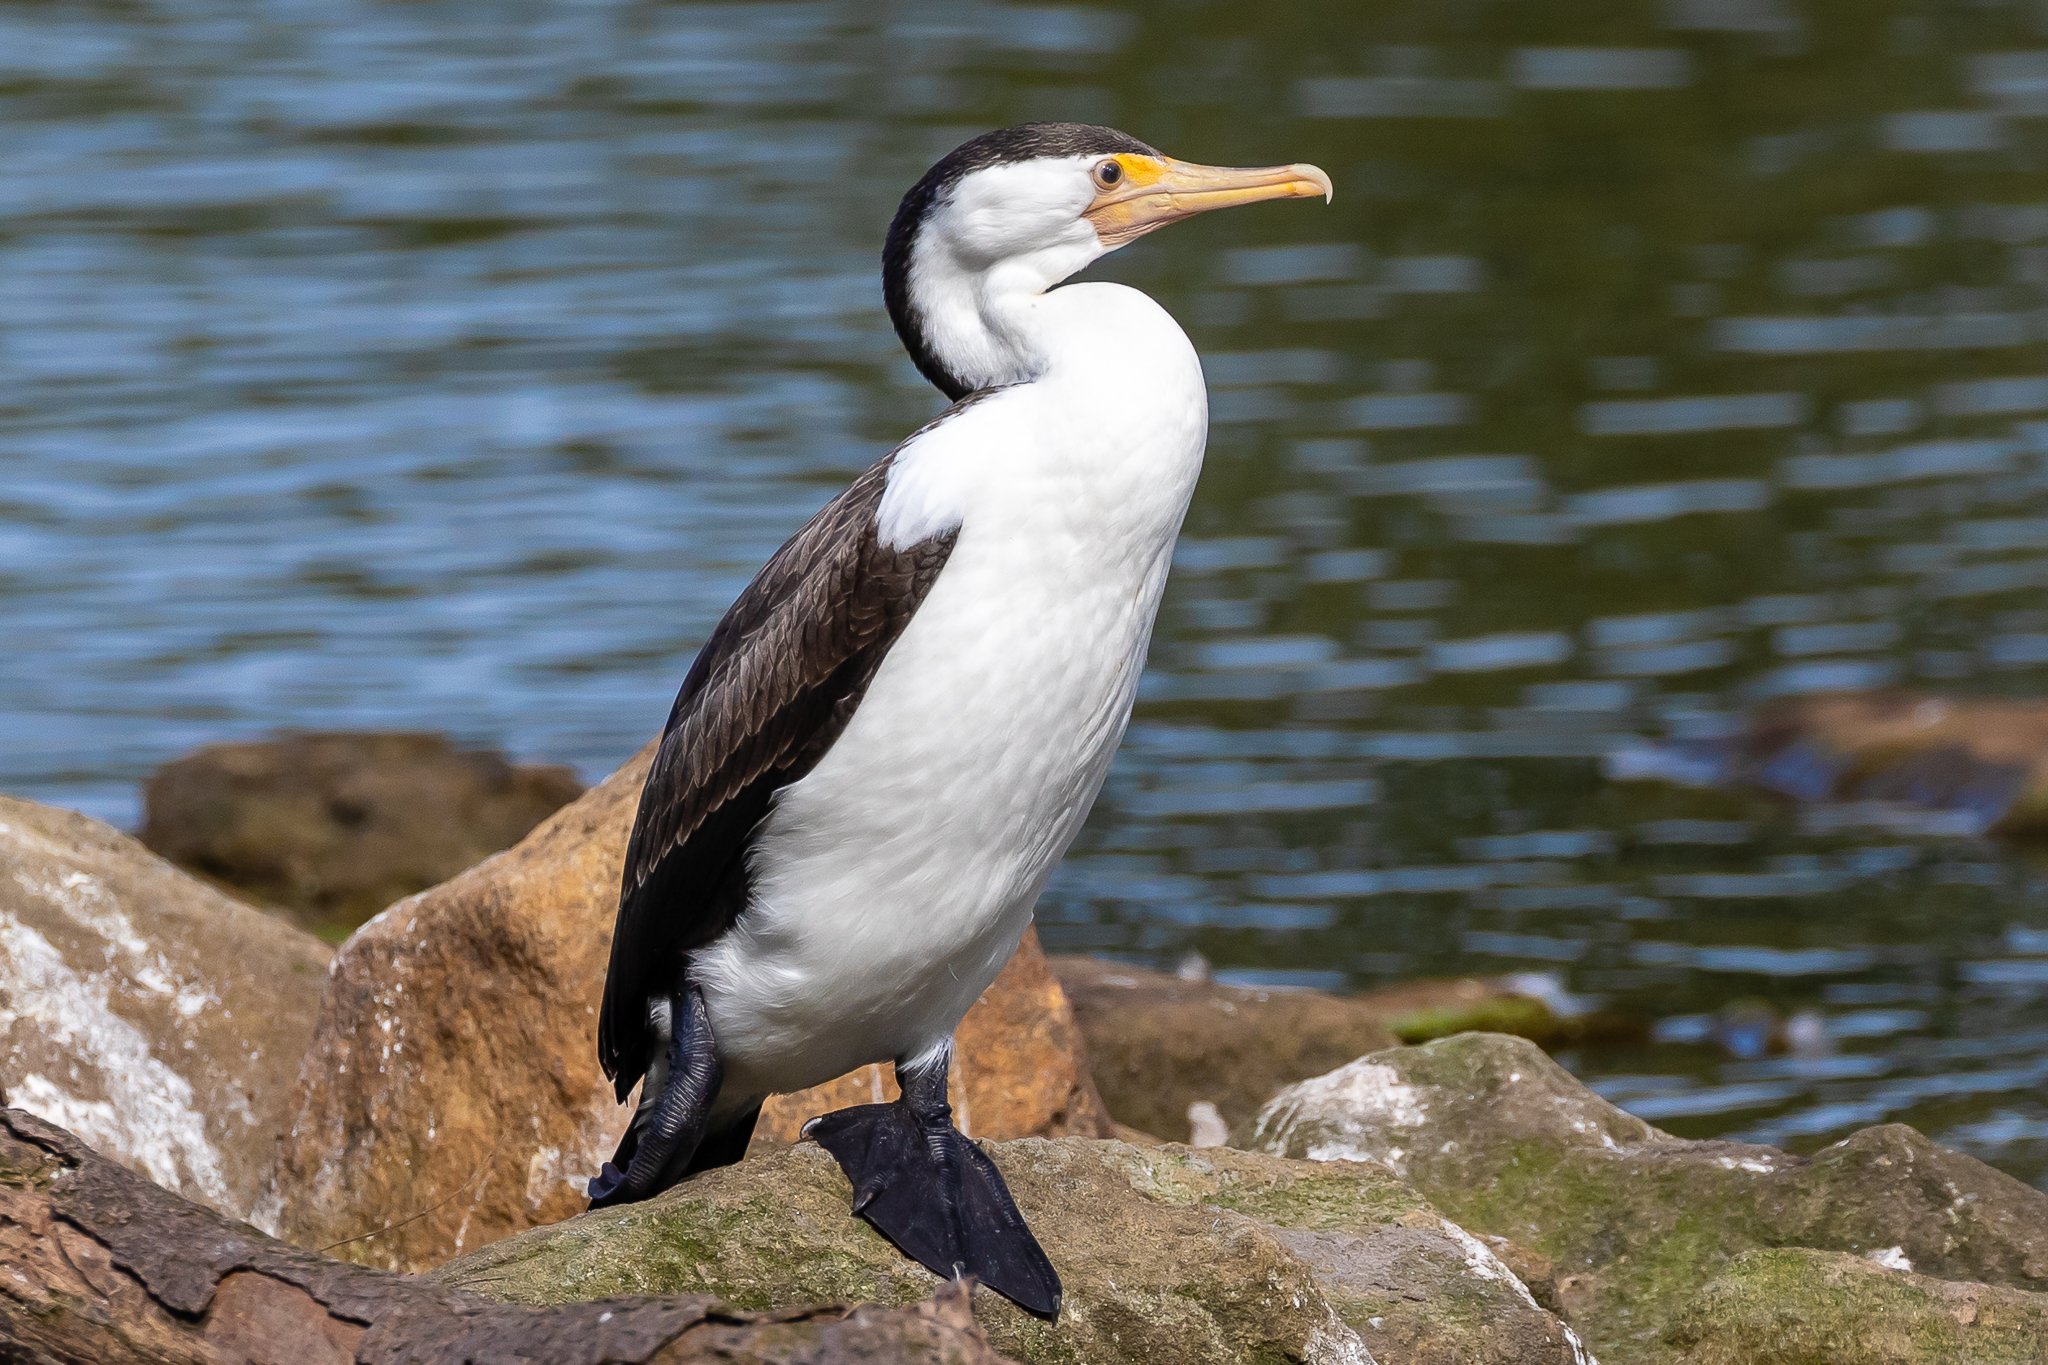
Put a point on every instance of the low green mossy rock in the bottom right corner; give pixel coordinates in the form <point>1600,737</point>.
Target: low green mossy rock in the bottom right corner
<point>1832,1309</point>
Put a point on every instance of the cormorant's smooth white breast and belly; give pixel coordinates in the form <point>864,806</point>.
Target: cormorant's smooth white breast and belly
<point>896,879</point>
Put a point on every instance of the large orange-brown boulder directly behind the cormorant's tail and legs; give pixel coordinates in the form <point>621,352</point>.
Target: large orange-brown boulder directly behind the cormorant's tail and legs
<point>454,1094</point>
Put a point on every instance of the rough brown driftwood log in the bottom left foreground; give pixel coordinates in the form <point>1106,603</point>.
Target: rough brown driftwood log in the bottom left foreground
<point>103,1268</point>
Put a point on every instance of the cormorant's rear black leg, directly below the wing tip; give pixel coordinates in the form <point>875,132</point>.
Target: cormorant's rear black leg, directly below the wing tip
<point>675,1106</point>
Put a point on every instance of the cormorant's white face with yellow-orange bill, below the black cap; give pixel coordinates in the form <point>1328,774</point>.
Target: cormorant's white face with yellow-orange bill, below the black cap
<point>1048,218</point>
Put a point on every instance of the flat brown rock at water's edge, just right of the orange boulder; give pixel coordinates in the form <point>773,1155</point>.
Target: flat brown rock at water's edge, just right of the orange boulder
<point>1160,1043</point>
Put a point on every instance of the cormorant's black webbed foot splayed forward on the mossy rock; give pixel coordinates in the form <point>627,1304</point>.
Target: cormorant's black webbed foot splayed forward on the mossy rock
<point>935,1194</point>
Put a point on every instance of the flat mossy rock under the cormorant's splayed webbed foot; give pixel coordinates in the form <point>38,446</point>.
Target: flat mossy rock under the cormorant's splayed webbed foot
<point>1166,1253</point>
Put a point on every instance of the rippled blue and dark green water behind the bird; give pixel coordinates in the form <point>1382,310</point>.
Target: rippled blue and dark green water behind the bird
<point>454,365</point>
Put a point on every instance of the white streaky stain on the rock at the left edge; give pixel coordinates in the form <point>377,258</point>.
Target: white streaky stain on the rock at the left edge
<point>148,1112</point>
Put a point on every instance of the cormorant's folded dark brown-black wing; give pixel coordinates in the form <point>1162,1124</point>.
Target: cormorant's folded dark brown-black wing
<point>765,701</point>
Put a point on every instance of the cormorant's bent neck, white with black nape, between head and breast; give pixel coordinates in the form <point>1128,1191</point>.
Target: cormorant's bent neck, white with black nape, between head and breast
<point>978,326</point>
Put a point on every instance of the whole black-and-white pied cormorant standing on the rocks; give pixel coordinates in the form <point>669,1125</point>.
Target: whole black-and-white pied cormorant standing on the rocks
<point>888,744</point>
